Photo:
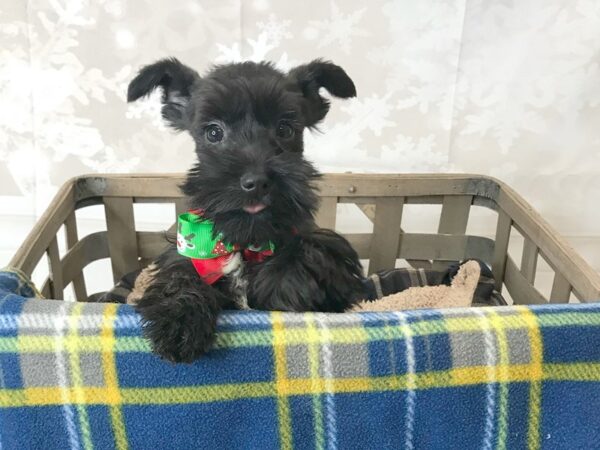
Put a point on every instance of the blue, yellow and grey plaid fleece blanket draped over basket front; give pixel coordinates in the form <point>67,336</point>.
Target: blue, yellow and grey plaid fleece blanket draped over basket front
<point>76,375</point>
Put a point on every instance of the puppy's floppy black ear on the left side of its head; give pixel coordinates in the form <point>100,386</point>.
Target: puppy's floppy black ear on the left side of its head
<point>176,81</point>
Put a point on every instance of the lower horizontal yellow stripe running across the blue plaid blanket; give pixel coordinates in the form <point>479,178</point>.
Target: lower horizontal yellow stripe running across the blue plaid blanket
<point>39,396</point>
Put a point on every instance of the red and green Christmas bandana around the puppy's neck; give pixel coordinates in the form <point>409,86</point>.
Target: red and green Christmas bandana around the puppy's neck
<point>210,254</point>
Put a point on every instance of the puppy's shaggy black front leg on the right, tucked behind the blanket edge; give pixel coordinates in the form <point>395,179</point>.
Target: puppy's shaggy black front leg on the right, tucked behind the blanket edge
<point>317,271</point>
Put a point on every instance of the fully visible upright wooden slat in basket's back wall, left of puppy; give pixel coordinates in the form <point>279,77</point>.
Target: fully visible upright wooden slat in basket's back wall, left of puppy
<point>122,242</point>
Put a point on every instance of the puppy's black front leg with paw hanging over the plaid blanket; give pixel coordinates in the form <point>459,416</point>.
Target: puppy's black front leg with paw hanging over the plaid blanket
<point>179,311</point>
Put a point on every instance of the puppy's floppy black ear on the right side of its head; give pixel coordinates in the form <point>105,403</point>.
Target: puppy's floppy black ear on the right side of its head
<point>314,75</point>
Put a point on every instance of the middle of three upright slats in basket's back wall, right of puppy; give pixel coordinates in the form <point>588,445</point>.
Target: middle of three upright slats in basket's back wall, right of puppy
<point>386,233</point>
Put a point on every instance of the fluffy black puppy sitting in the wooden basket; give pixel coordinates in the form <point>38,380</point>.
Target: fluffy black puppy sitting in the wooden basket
<point>252,181</point>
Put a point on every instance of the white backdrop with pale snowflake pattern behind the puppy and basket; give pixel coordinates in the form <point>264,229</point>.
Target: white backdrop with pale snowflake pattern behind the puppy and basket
<point>506,88</point>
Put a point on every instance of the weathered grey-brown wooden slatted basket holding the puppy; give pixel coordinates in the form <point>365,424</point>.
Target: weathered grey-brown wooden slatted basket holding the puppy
<point>382,198</point>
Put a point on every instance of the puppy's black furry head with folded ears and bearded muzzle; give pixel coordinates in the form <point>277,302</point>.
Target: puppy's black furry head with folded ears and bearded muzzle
<point>247,120</point>
